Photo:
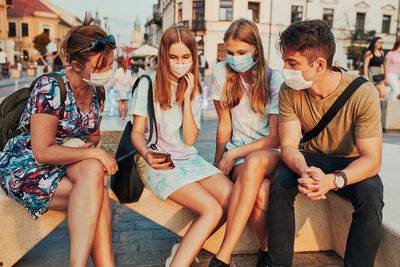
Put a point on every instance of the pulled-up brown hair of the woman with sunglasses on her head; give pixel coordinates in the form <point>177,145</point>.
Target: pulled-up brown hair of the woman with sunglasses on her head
<point>79,38</point>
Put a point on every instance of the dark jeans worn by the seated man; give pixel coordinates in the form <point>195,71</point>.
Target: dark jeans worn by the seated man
<point>366,227</point>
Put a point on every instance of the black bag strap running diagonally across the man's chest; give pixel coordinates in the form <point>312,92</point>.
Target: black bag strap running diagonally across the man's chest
<point>334,109</point>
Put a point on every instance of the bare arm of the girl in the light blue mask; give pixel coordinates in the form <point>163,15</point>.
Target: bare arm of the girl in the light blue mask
<point>224,131</point>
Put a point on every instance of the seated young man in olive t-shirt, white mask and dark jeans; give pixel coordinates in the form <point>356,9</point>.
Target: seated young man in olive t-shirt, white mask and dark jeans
<point>344,157</point>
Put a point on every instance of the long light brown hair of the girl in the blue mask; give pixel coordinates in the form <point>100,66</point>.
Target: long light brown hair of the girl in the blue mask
<point>246,31</point>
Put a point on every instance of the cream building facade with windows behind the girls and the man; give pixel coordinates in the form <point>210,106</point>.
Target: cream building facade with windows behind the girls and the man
<point>353,22</point>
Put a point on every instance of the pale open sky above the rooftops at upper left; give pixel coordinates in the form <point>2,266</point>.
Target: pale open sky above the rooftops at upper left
<point>121,13</point>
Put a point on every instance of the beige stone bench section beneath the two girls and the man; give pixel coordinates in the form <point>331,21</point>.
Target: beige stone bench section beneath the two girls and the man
<point>320,225</point>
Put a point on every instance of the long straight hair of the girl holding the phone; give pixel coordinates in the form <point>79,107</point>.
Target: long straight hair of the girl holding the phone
<point>162,85</point>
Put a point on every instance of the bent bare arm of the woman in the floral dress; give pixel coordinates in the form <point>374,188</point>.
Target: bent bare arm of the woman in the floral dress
<point>45,151</point>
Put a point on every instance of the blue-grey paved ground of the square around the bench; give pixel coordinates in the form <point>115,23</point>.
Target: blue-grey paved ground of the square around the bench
<point>140,242</point>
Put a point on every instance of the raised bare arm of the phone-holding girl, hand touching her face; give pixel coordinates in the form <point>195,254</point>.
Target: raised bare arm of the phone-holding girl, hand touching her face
<point>190,131</point>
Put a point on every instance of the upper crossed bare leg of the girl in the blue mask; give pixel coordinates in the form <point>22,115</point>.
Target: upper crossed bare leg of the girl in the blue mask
<point>258,164</point>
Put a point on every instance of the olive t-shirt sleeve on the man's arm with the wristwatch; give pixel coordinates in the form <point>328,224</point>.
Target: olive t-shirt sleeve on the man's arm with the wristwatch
<point>368,119</point>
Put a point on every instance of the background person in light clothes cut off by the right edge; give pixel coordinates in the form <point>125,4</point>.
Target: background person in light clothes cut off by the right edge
<point>392,71</point>
